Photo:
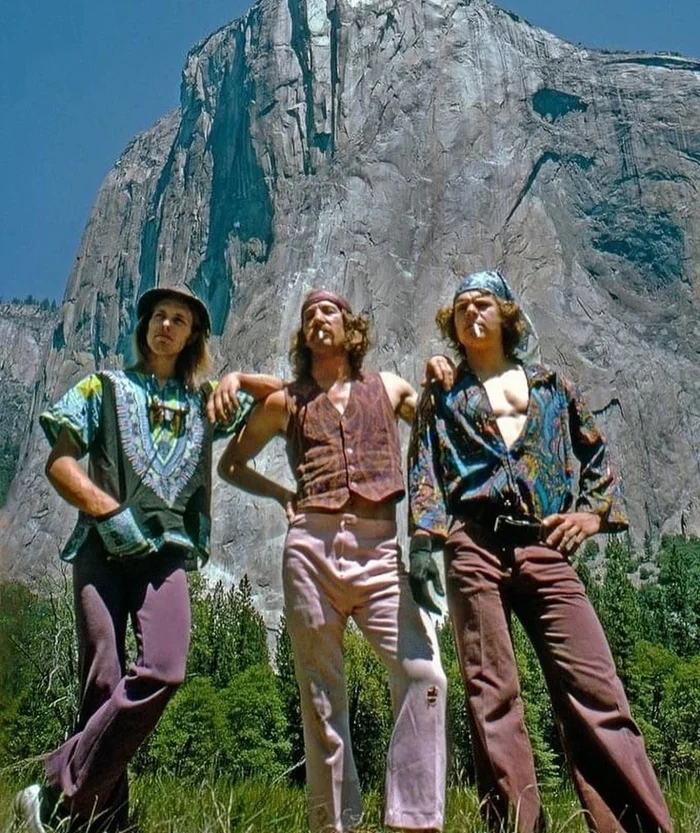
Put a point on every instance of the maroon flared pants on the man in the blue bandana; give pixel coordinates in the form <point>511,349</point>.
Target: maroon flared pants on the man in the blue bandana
<point>487,580</point>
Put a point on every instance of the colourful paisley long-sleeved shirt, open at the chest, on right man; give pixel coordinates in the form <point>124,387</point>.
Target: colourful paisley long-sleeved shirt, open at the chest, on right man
<point>459,463</point>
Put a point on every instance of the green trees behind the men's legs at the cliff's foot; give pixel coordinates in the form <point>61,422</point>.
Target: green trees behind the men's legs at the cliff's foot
<point>238,712</point>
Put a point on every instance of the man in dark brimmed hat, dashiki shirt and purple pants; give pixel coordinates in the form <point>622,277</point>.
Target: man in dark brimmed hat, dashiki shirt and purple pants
<point>144,520</point>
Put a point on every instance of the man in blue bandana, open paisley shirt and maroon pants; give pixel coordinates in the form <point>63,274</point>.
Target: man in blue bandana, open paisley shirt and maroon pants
<point>493,477</point>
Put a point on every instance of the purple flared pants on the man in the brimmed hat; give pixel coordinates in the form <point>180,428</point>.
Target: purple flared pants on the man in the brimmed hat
<point>119,707</point>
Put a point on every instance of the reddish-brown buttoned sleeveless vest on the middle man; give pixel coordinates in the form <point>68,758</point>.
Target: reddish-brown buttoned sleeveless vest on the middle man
<point>334,456</point>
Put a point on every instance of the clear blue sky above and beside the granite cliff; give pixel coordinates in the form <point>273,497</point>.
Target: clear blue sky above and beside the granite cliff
<point>80,79</point>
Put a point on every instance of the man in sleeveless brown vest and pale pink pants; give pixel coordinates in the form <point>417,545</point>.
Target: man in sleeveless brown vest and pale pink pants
<point>341,558</point>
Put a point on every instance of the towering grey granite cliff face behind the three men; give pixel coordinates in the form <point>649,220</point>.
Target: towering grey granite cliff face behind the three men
<point>378,149</point>
